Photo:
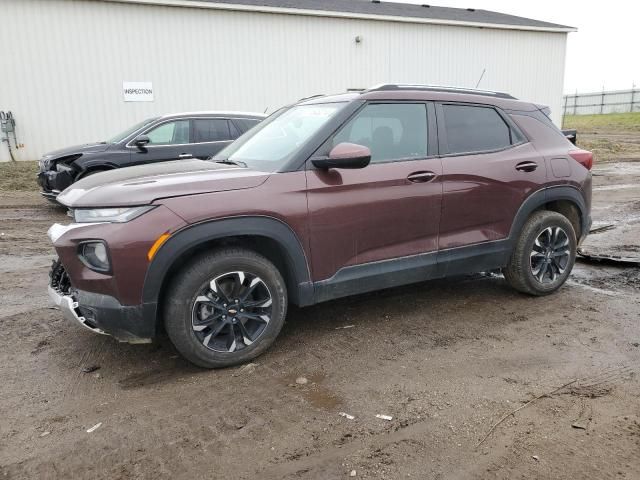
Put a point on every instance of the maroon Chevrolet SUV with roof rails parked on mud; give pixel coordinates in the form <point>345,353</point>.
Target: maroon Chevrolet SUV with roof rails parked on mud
<point>333,196</point>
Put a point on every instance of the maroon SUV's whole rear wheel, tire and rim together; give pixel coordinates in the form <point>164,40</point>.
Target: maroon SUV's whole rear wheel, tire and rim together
<point>543,255</point>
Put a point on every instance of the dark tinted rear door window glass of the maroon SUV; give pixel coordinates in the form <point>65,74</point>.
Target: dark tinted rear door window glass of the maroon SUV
<point>475,129</point>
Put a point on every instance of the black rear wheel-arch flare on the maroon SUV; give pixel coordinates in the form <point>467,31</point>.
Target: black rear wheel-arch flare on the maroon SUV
<point>546,195</point>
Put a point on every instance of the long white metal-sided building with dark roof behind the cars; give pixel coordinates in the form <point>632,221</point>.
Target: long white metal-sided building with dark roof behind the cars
<point>63,63</point>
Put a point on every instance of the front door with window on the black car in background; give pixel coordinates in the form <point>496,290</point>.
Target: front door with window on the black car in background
<point>168,140</point>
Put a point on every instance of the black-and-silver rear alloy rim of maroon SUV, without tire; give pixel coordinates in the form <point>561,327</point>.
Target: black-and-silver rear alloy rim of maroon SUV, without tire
<point>550,255</point>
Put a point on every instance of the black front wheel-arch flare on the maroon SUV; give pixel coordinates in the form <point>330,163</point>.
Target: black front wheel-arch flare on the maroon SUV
<point>194,235</point>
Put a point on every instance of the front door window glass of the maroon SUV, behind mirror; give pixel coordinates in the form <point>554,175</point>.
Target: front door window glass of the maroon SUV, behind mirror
<point>392,131</point>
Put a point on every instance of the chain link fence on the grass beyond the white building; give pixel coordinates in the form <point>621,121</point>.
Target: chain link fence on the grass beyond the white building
<point>615,101</point>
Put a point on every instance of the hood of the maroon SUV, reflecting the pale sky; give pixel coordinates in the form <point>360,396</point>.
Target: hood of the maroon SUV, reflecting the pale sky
<point>143,184</point>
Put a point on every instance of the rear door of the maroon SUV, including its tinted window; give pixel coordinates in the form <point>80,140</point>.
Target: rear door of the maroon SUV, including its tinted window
<point>488,169</point>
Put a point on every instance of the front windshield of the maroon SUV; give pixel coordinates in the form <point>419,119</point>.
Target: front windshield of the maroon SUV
<point>270,144</point>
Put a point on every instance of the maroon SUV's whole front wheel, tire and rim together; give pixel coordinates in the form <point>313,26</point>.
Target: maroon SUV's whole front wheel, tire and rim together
<point>203,320</point>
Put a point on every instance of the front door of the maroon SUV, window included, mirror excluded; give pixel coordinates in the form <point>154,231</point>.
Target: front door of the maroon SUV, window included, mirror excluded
<point>389,210</point>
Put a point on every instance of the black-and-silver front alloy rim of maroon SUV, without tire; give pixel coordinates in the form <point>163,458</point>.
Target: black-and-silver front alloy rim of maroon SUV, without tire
<point>232,311</point>
